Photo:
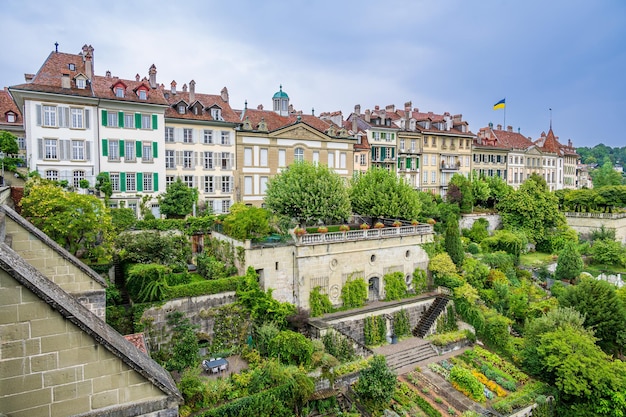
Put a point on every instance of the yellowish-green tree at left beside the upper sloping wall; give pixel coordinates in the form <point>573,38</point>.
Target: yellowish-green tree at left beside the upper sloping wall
<point>80,223</point>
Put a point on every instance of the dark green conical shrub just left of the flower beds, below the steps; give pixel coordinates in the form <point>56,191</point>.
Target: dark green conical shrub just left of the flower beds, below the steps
<point>376,383</point>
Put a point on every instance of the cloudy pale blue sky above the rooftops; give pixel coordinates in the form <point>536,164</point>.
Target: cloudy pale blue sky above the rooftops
<point>457,56</point>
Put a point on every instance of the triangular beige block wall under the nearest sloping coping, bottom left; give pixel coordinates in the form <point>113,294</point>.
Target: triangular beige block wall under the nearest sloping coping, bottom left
<point>51,367</point>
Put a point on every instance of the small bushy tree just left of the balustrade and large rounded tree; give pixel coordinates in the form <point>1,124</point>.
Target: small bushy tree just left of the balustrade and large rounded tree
<point>245,222</point>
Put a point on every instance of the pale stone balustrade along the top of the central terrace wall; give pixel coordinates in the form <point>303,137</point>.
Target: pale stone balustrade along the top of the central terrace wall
<point>352,235</point>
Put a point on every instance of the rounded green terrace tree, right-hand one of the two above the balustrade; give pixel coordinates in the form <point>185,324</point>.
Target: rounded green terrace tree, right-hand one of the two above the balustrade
<point>381,193</point>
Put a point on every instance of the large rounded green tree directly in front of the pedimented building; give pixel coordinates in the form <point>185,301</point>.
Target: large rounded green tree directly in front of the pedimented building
<point>308,193</point>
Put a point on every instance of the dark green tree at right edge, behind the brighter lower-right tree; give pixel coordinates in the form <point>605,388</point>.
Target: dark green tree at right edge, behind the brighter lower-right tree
<point>603,310</point>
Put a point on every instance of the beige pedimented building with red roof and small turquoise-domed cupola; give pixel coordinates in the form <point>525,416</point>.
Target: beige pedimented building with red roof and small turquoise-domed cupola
<point>269,141</point>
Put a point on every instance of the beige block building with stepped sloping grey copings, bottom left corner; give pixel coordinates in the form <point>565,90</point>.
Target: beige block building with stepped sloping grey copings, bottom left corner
<point>57,355</point>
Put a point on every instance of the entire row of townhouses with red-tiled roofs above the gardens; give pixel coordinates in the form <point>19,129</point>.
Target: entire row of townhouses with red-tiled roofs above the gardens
<point>73,125</point>
